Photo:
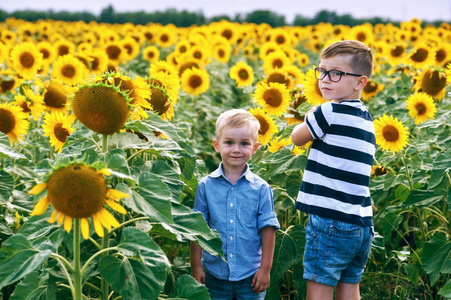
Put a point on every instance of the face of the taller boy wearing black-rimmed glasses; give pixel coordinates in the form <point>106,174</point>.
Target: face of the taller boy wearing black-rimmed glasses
<point>349,87</point>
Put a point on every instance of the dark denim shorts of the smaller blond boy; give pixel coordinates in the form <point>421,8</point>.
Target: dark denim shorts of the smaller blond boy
<point>231,290</point>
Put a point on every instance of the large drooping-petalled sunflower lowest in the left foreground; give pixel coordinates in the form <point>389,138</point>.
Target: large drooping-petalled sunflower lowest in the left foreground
<point>78,191</point>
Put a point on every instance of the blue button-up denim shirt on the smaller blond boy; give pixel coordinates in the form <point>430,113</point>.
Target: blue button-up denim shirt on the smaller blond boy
<point>238,212</point>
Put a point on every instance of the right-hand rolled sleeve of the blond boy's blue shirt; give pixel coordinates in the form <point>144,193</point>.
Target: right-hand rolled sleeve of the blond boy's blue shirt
<point>266,214</point>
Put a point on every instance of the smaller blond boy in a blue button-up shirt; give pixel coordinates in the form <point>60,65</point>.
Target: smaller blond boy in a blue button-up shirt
<point>239,205</point>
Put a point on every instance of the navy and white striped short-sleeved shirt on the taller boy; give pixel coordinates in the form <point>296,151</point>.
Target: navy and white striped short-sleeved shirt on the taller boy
<point>336,180</point>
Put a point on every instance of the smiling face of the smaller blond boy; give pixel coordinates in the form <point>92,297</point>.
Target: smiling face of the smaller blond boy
<point>236,146</point>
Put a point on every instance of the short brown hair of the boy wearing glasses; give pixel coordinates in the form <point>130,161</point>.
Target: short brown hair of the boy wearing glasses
<point>362,60</point>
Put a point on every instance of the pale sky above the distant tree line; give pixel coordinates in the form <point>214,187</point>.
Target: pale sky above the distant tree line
<point>395,10</point>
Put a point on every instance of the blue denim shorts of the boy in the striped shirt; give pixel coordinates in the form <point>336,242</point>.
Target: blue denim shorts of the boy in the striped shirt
<point>335,251</point>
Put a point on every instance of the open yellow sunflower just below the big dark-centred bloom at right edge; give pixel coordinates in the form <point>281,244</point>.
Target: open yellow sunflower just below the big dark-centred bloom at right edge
<point>421,107</point>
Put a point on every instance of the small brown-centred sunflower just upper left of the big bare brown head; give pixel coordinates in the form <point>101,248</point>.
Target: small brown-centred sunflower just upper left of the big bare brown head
<point>55,96</point>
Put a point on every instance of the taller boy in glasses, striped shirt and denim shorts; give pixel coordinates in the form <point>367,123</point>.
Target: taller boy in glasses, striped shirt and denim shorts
<point>335,186</point>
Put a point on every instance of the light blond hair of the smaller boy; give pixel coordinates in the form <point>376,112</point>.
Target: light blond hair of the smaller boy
<point>236,118</point>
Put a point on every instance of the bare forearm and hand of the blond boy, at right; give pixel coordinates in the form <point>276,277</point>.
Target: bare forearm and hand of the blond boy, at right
<point>262,279</point>
